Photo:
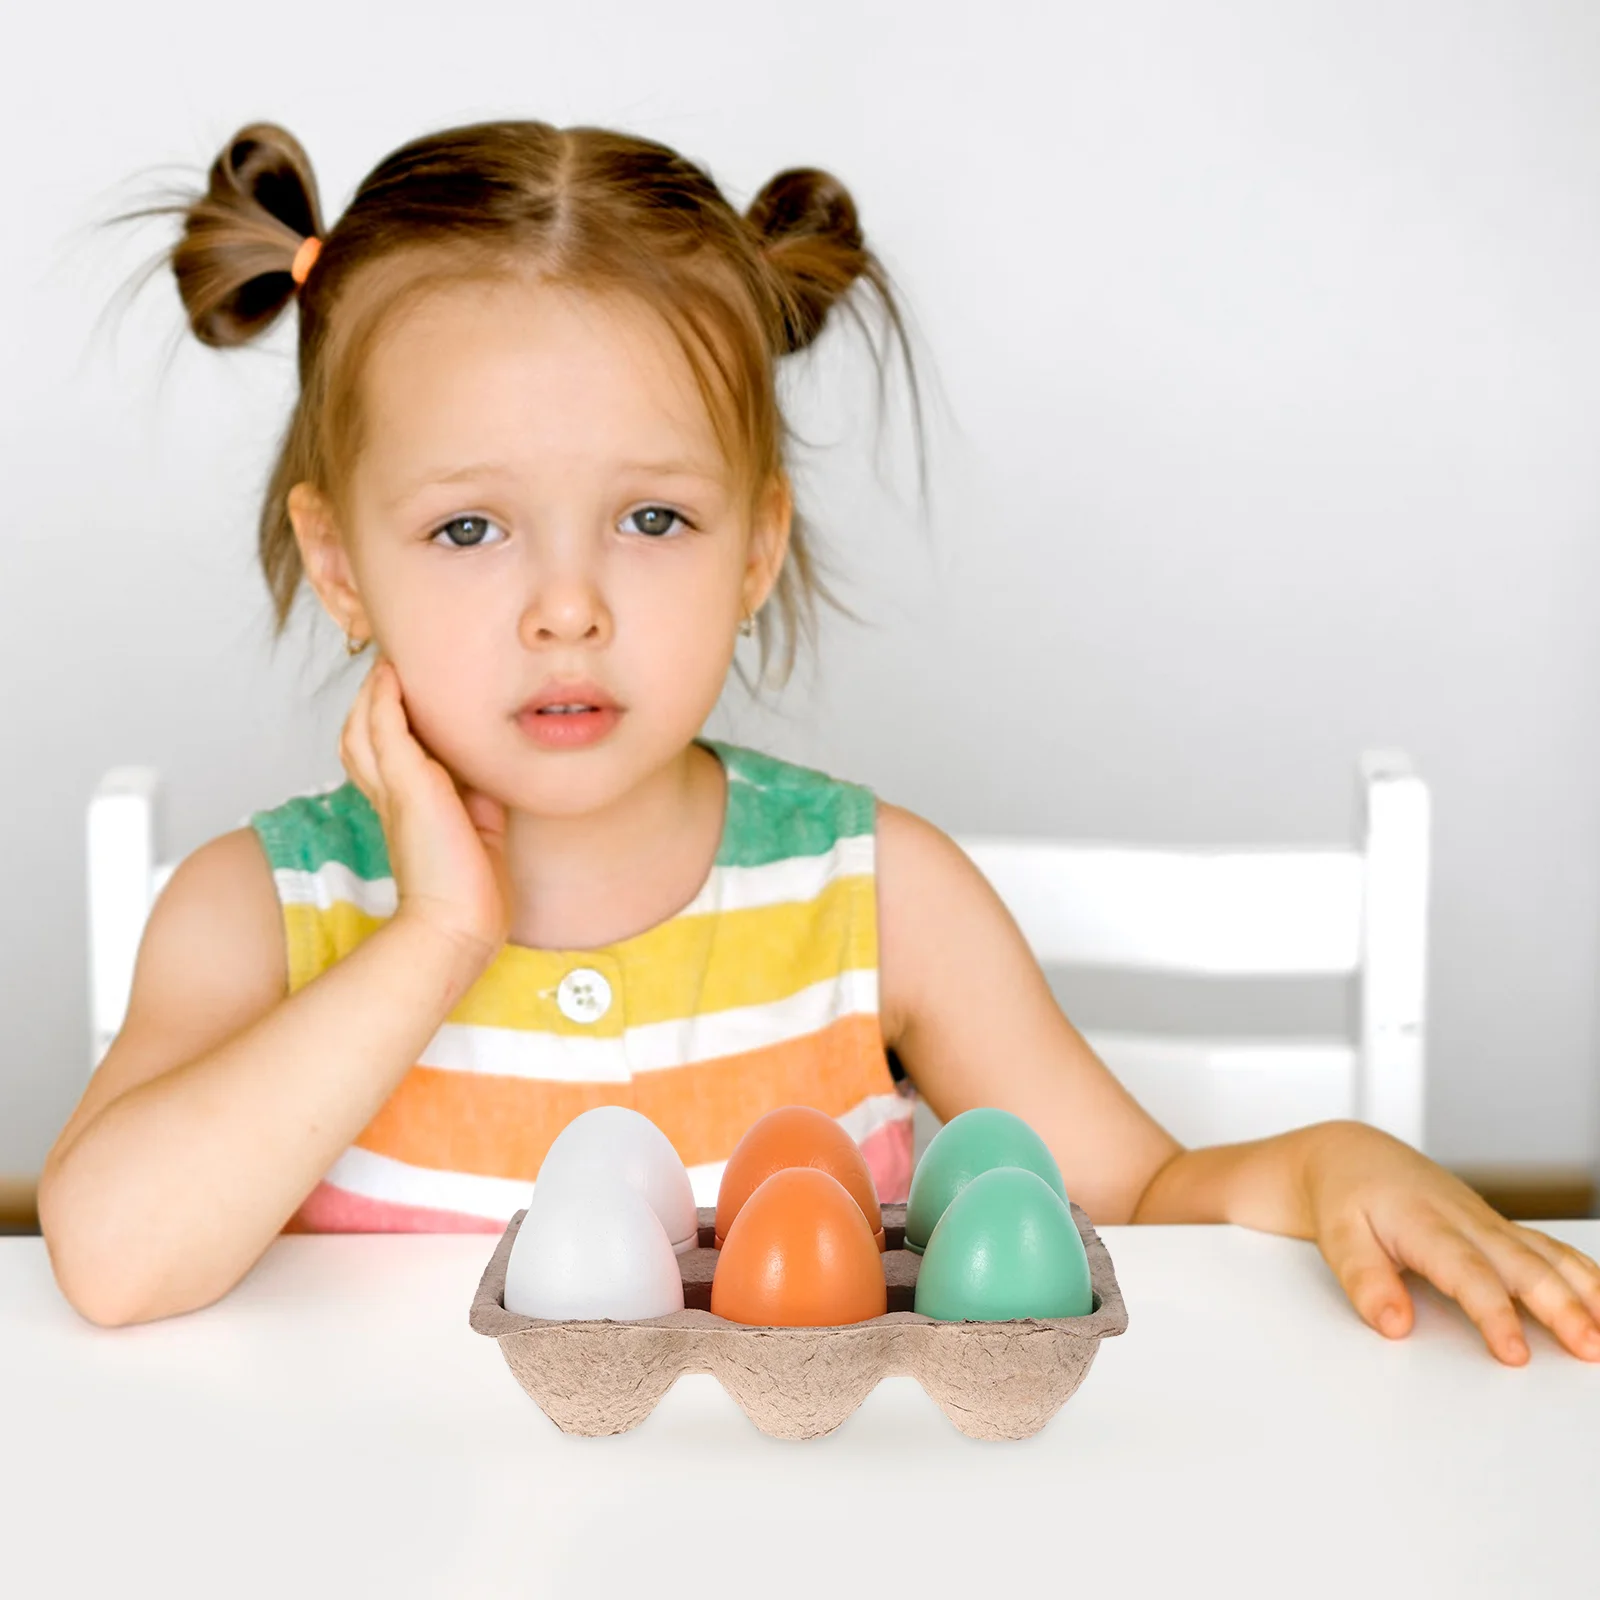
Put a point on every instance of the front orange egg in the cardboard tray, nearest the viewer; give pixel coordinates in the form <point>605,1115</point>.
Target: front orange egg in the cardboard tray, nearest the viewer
<point>799,1255</point>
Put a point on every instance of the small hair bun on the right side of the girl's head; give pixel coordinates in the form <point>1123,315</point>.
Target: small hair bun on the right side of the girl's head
<point>814,241</point>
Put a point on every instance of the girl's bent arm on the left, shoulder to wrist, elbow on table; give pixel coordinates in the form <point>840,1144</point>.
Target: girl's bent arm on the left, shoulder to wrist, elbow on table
<point>225,1100</point>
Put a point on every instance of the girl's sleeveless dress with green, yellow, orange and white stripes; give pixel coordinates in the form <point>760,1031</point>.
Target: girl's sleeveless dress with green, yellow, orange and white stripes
<point>762,993</point>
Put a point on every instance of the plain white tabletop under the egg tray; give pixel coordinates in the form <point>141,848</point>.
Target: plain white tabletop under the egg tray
<point>334,1428</point>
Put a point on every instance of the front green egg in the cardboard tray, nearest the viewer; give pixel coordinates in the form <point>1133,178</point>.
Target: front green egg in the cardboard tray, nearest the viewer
<point>1006,1247</point>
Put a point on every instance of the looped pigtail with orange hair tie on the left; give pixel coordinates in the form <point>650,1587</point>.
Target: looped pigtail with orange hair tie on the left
<point>239,239</point>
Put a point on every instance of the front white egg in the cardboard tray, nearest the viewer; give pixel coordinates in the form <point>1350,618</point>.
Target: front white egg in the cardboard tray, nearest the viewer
<point>590,1249</point>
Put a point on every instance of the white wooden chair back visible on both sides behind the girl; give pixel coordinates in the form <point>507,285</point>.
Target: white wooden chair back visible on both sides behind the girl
<point>1346,913</point>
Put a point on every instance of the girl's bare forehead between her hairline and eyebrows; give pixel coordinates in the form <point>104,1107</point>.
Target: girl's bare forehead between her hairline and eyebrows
<point>532,367</point>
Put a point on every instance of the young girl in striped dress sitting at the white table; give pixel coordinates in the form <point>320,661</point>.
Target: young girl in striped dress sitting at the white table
<point>537,462</point>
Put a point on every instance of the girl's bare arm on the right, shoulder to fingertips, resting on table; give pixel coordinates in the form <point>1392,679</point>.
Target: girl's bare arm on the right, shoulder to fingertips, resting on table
<point>972,1018</point>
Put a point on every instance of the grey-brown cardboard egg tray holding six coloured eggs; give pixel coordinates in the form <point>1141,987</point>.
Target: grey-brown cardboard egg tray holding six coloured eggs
<point>993,1380</point>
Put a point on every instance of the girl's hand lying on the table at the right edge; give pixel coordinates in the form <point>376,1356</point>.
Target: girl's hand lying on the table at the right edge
<point>1377,1206</point>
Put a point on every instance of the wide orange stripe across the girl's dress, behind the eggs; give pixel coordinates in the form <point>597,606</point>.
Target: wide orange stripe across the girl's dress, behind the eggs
<point>500,1127</point>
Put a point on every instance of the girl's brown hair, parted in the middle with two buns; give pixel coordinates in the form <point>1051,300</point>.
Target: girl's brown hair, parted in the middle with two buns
<point>578,206</point>
